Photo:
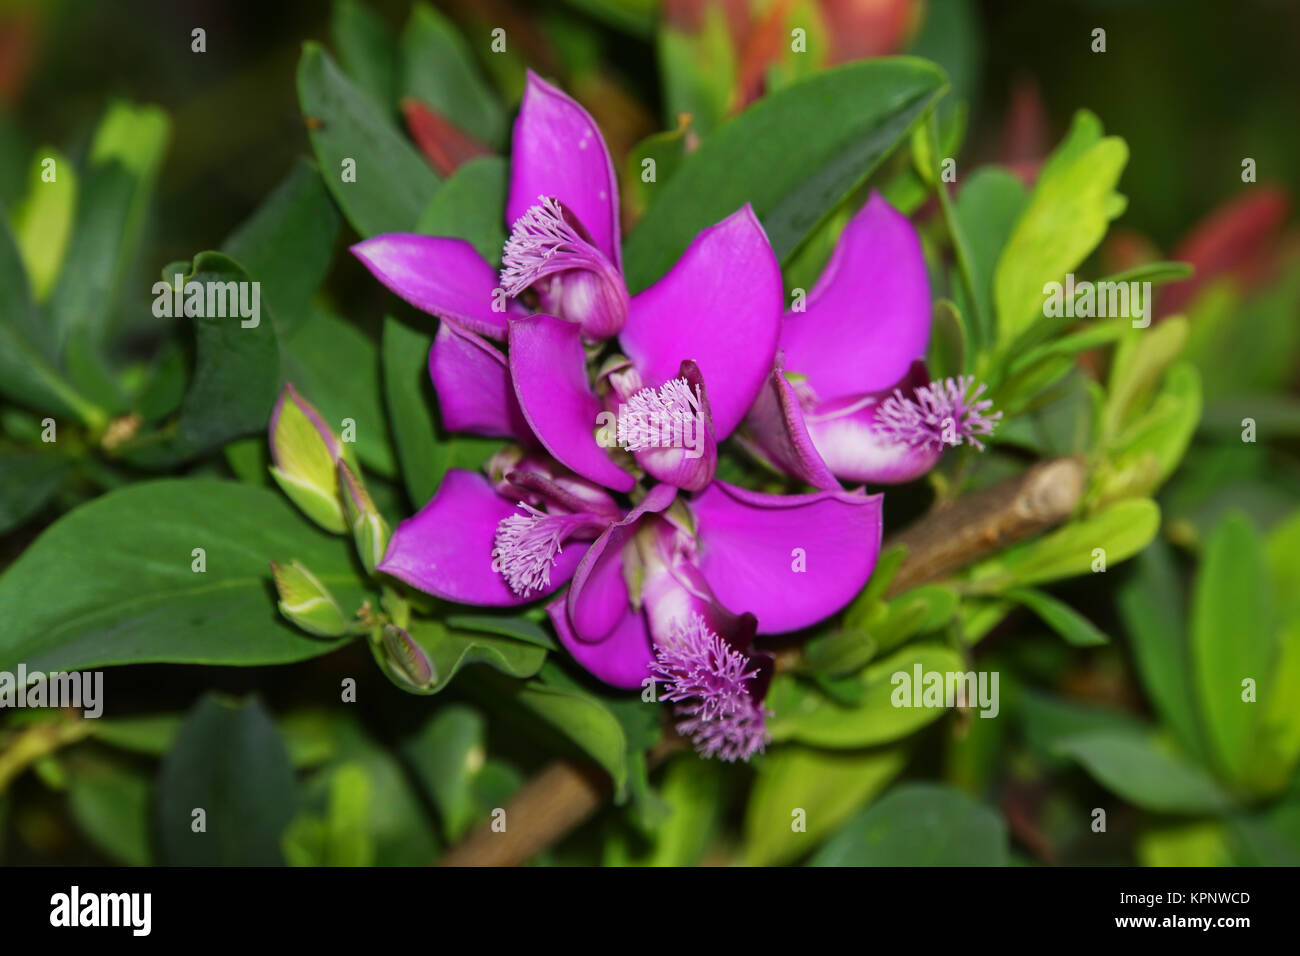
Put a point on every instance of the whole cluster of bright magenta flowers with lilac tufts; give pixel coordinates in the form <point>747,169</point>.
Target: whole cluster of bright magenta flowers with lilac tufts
<point>671,573</point>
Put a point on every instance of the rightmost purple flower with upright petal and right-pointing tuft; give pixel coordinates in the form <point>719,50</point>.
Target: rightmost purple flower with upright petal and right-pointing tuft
<point>851,397</point>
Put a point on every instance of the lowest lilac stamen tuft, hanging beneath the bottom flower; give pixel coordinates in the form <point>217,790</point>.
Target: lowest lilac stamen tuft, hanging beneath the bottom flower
<point>707,678</point>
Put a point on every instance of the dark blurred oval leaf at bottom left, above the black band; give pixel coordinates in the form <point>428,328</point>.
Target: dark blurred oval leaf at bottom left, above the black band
<point>231,763</point>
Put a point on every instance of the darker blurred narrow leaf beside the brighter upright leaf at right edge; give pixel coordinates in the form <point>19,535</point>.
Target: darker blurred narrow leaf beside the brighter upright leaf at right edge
<point>1151,604</point>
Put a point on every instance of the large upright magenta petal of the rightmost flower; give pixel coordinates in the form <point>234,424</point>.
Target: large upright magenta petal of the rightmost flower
<point>868,319</point>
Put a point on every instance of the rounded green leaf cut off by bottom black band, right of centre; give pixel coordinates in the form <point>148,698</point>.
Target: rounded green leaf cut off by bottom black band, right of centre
<point>920,825</point>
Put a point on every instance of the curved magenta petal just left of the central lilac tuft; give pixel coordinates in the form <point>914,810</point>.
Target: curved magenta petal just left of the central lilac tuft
<point>548,366</point>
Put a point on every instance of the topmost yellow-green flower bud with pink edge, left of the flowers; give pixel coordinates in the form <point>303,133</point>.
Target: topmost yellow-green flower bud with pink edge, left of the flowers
<point>305,453</point>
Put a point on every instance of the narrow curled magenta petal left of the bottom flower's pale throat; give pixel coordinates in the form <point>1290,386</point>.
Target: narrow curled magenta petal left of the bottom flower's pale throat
<point>600,594</point>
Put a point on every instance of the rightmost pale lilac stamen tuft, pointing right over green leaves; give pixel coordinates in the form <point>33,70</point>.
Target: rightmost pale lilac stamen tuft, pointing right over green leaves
<point>943,413</point>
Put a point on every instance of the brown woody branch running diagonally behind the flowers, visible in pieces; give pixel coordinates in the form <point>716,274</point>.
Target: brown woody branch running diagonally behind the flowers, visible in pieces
<point>946,540</point>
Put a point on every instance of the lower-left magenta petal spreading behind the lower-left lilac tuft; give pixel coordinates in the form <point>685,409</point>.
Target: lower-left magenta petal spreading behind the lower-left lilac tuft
<point>447,548</point>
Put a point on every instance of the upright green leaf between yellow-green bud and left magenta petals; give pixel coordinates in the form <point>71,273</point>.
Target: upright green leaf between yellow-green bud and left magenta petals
<point>424,451</point>
